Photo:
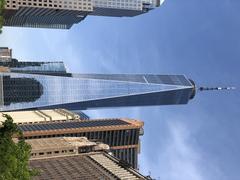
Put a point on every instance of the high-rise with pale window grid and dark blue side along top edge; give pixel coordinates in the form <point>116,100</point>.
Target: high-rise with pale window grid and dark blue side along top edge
<point>63,14</point>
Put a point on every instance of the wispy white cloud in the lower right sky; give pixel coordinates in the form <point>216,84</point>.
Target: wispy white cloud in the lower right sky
<point>183,159</point>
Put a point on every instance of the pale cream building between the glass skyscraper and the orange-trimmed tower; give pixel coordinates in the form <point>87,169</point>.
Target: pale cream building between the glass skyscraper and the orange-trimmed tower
<point>40,116</point>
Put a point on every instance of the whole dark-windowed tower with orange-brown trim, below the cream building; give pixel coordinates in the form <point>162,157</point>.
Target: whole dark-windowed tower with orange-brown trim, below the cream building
<point>122,135</point>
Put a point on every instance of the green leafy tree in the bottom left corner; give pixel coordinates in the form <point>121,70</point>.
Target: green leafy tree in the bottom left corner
<point>14,157</point>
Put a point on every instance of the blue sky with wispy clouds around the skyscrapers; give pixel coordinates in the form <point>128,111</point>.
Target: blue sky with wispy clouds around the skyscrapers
<point>197,141</point>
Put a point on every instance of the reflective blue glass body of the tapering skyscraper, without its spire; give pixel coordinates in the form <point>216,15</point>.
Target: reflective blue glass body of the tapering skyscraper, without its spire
<point>80,92</point>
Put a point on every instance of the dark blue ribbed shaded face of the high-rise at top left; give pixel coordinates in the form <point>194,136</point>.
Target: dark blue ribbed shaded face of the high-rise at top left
<point>36,17</point>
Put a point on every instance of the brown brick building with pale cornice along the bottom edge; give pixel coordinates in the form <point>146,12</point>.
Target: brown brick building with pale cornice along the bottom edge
<point>98,165</point>
